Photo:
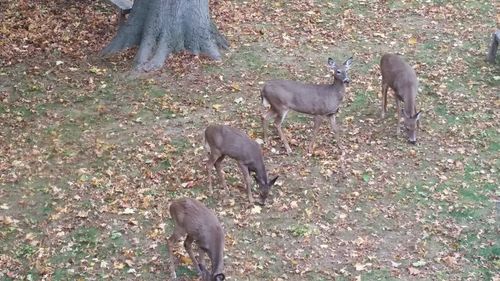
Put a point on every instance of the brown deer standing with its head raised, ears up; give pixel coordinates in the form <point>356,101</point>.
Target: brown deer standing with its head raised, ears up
<point>317,100</point>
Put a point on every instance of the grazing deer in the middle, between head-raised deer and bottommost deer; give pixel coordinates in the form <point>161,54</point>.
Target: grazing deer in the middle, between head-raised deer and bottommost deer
<point>221,141</point>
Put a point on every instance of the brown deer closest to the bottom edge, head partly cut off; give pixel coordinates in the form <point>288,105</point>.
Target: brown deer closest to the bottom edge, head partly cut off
<point>199,224</point>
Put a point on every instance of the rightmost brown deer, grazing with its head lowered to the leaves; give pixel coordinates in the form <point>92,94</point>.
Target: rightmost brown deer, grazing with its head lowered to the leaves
<point>402,79</point>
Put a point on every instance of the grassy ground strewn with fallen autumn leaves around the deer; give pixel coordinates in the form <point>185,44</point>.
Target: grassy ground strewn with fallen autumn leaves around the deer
<point>90,158</point>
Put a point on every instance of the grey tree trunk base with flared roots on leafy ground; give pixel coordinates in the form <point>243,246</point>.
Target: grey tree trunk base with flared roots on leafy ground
<point>161,27</point>
